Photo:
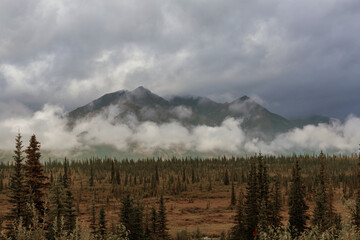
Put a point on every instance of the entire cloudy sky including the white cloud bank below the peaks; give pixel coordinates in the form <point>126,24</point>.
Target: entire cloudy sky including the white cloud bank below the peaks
<point>296,58</point>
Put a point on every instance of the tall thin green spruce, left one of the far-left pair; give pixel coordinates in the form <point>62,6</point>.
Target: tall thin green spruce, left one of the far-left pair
<point>17,191</point>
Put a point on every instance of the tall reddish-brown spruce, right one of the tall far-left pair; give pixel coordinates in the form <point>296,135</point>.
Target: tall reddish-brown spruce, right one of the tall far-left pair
<point>34,175</point>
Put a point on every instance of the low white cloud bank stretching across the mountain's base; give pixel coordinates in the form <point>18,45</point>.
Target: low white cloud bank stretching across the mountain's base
<point>53,132</point>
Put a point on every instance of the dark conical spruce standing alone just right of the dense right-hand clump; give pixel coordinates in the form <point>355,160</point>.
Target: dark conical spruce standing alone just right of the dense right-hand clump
<point>297,205</point>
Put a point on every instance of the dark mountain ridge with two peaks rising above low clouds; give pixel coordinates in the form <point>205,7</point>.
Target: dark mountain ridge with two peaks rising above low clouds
<point>190,111</point>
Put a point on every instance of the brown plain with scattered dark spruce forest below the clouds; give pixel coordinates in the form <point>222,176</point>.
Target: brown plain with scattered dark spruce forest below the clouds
<point>310,196</point>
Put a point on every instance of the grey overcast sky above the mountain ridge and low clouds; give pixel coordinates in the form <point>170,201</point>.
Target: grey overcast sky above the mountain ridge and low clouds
<point>299,57</point>
